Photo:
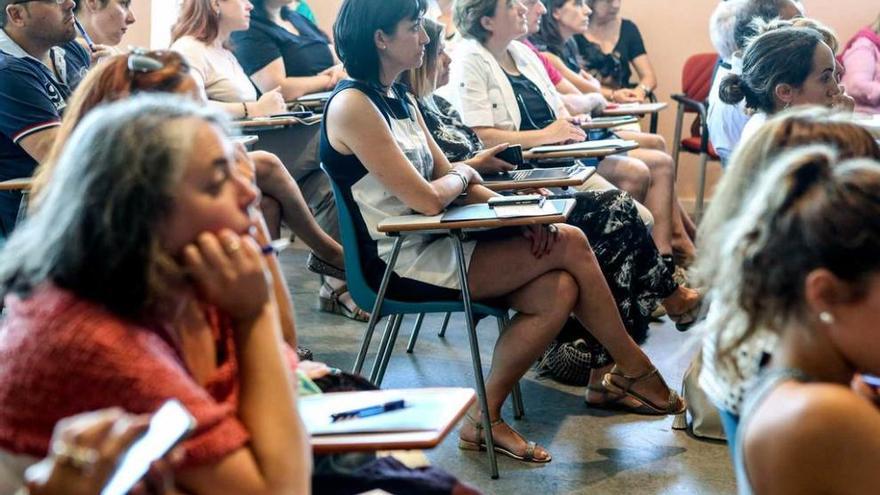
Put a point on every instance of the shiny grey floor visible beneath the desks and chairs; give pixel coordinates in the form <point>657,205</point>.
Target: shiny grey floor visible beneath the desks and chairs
<point>593,451</point>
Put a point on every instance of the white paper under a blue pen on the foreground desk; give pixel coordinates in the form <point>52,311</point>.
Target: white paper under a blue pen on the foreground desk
<point>423,412</point>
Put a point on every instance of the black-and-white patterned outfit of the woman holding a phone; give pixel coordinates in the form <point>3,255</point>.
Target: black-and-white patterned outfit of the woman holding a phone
<point>636,274</point>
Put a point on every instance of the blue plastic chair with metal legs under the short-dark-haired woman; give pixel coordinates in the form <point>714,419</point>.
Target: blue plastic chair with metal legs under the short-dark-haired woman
<point>365,297</point>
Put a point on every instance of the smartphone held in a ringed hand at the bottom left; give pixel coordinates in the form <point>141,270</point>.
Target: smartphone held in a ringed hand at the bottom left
<point>171,423</point>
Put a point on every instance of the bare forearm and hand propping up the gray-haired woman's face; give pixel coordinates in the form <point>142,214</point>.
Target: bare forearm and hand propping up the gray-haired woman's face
<point>277,460</point>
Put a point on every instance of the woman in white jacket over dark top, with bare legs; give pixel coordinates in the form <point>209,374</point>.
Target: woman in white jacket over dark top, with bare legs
<point>503,92</point>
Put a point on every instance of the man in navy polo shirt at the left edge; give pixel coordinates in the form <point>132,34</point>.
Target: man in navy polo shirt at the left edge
<point>40,64</point>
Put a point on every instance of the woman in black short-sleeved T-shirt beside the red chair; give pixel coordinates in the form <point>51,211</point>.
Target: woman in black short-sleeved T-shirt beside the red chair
<point>611,48</point>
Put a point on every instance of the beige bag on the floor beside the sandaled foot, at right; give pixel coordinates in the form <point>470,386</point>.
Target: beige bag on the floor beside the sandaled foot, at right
<point>705,422</point>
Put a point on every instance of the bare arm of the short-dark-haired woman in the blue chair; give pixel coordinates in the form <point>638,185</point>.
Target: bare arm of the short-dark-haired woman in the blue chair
<point>355,126</point>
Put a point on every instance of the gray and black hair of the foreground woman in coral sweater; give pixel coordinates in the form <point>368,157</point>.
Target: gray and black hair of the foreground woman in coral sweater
<point>95,230</point>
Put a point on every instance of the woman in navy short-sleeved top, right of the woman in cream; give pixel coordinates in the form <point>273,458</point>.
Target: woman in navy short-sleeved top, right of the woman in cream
<point>282,48</point>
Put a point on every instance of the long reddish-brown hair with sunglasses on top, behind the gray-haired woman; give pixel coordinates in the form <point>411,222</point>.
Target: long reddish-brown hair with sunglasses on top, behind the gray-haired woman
<point>110,81</point>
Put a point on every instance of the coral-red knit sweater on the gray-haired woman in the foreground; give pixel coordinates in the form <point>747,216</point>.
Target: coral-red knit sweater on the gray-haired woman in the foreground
<point>61,355</point>
